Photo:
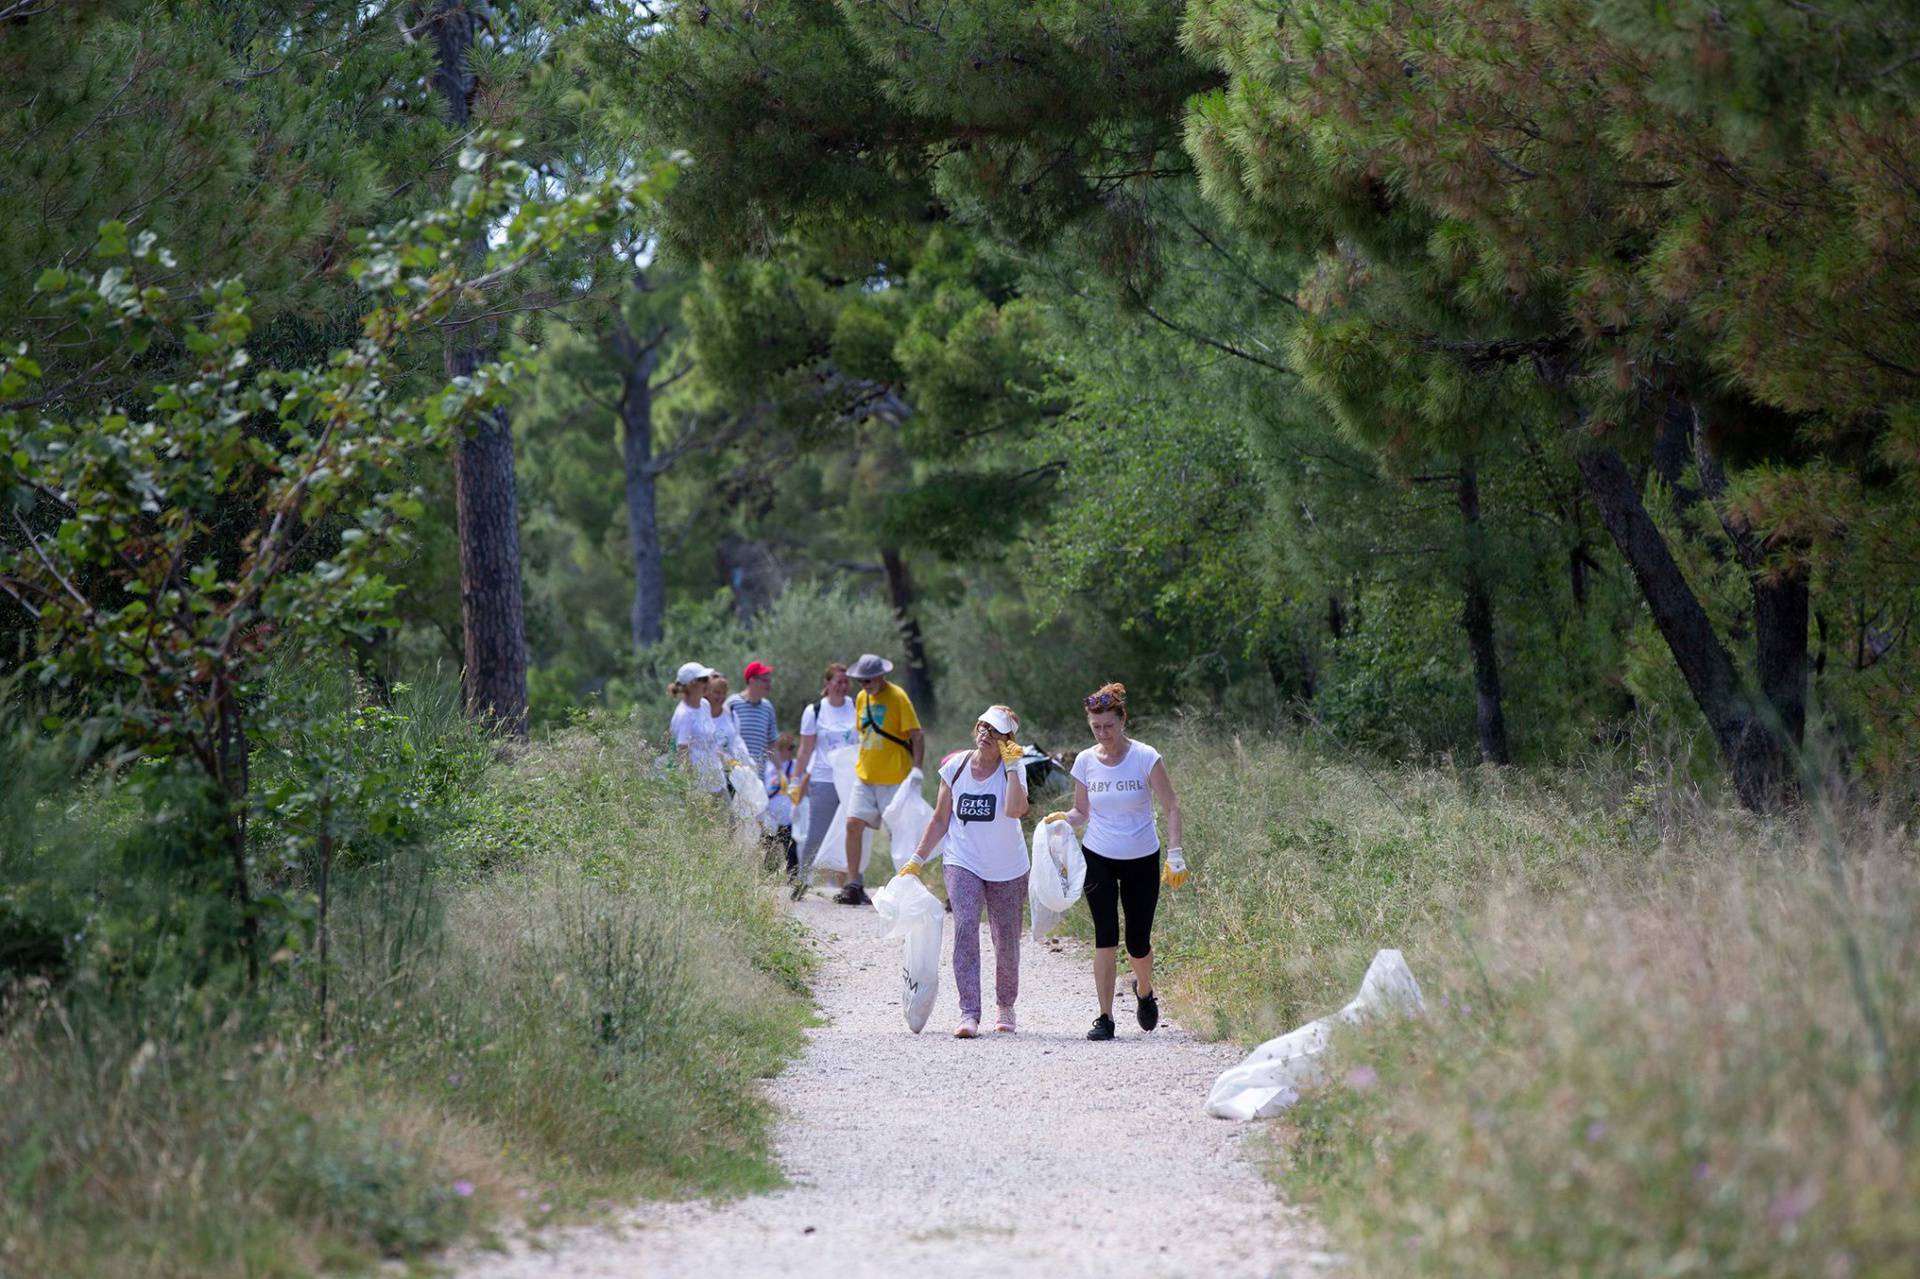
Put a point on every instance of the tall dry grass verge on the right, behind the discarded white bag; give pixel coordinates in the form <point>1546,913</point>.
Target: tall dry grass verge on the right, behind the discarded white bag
<point>1654,1036</point>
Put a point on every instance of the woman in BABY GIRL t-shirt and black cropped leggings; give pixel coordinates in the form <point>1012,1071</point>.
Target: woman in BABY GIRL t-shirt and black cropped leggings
<point>1115,792</point>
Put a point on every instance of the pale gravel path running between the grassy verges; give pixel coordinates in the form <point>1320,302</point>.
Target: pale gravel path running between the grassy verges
<point>1011,1157</point>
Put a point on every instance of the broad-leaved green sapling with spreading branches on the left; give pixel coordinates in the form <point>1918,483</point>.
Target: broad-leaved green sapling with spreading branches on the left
<point>139,623</point>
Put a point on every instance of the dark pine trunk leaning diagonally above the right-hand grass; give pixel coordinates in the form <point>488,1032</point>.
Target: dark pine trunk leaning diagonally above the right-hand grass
<point>1750,750</point>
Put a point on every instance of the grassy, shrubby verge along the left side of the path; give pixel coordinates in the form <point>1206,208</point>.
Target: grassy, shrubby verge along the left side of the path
<point>564,996</point>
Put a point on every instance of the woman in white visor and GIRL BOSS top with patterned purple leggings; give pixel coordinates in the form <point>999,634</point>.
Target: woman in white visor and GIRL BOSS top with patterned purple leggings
<point>984,794</point>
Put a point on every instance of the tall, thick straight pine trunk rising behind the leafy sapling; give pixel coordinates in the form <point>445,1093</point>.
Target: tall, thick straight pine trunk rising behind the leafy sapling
<point>487,500</point>
